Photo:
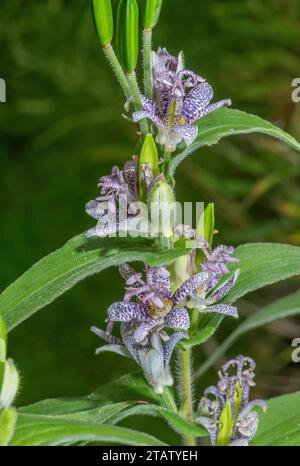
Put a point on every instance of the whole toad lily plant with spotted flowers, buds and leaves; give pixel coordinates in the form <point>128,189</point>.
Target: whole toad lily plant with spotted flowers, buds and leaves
<point>183,283</point>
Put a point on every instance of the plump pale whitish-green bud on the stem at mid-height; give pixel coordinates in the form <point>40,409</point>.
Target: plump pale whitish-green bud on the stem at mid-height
<point>162,208</point>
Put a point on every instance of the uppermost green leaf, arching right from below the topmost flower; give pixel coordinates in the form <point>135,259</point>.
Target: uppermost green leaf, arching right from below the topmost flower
<point>228,122</point>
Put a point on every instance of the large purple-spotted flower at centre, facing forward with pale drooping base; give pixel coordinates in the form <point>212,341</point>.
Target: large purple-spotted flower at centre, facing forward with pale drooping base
<point>143,321</point>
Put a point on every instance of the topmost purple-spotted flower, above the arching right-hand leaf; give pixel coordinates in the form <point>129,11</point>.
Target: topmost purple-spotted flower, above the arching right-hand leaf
<point>180,98</point>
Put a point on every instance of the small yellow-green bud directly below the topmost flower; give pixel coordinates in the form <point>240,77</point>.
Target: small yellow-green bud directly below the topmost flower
<point>148,156</point>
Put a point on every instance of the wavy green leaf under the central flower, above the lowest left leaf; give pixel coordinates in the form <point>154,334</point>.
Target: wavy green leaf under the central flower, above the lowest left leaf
<point>110,404</point>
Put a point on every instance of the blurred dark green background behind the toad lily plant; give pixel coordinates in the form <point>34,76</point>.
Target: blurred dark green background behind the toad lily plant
<point>61,130</point>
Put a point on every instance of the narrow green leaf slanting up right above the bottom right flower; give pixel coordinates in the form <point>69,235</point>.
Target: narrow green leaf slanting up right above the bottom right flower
<point>280,309</point>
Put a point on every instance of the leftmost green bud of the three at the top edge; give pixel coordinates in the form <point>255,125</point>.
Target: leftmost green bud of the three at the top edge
<point>103,20</point>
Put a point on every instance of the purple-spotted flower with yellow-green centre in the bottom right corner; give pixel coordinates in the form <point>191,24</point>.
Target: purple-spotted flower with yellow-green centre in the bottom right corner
<point>225,409</point>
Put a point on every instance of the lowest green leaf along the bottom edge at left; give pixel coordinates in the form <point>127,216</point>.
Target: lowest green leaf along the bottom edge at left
<point>46,431</point>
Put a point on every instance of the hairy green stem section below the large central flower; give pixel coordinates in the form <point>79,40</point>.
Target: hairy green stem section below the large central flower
<point>186,409</point>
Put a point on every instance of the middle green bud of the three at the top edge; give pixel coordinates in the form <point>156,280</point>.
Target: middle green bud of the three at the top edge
<point>128,34</point>
